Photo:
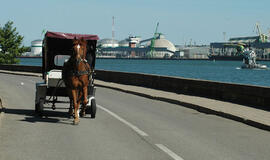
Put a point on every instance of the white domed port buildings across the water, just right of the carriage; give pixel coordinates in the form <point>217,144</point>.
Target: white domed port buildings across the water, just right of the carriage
<point>134,47</point>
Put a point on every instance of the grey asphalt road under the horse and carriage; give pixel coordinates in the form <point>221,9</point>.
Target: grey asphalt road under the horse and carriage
<point>126,127</point>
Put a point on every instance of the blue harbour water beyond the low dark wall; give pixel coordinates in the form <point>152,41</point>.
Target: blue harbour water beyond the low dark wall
<point>220,71</point>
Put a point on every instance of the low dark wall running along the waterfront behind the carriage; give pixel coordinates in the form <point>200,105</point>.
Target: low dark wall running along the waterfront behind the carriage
<point>255,96</point>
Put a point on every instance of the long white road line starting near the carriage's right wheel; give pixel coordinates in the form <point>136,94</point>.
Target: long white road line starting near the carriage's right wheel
<point>136,129</point>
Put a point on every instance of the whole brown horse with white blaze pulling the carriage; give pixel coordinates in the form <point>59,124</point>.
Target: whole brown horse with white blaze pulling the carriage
<point>76,73</point>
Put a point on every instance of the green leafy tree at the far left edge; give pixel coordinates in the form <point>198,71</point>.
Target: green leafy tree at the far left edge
<point>10,44</point>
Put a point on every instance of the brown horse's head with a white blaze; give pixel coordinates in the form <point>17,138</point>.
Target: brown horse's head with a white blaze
<point>79,48</point>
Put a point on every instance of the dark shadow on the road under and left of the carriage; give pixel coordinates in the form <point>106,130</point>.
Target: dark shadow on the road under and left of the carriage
<point>47,116</point>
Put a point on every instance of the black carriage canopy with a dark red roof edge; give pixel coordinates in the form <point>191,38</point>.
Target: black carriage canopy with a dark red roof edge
<point>58,44</point>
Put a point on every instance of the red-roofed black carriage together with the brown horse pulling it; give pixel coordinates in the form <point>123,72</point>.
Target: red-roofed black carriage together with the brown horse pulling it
<point>68,62</point>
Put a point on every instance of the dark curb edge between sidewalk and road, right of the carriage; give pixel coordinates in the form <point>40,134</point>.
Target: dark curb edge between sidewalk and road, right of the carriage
<point>196,107</point>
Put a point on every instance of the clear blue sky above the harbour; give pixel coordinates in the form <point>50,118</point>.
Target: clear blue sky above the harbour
<point>203,21</point>
